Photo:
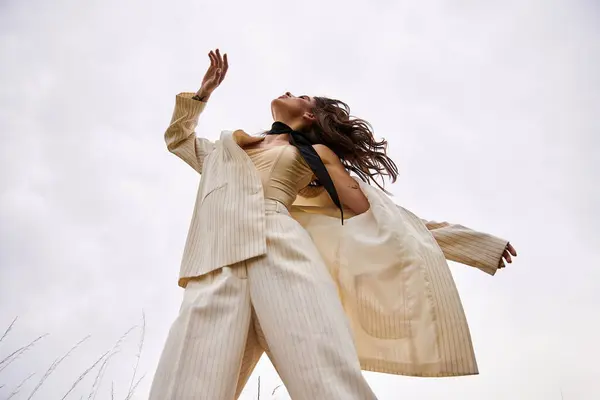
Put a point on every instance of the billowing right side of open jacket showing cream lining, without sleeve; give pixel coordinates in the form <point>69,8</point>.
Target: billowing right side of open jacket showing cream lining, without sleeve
<point>396,288</point>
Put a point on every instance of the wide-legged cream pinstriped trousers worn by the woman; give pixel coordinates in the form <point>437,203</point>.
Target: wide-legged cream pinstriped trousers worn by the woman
<point>285,303</point>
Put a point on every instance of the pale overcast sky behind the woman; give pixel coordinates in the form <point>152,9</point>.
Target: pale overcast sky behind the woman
<point>490,109</point>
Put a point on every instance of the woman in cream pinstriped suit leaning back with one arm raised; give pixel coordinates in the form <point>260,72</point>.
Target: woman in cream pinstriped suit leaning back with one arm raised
<point>255,280</point>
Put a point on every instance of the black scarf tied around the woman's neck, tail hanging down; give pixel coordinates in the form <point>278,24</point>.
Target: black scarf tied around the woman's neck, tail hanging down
<point>311,157</point>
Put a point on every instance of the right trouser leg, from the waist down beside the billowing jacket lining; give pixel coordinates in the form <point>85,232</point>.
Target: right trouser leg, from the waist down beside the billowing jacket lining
<point>298,307</point>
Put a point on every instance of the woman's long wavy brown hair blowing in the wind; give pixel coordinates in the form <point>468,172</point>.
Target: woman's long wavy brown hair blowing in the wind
<point>352,140</point>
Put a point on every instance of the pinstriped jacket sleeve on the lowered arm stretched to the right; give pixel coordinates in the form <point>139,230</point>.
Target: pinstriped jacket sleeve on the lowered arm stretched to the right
<point>469,247</point>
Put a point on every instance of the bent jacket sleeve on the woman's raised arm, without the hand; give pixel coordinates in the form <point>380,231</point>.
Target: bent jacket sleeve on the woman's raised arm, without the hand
<point>180,136</point>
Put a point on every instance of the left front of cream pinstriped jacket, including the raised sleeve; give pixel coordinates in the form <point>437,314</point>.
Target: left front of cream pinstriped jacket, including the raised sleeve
<point>226,228</point>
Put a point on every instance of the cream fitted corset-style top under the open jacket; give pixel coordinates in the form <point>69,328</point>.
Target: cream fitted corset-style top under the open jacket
<point>283,171</point>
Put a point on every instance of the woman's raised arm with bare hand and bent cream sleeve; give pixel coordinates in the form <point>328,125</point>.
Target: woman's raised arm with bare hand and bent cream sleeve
<point>180,136</point>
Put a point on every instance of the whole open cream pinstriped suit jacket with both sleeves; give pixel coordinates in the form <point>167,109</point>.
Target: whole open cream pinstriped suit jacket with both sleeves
<point>389,265</point>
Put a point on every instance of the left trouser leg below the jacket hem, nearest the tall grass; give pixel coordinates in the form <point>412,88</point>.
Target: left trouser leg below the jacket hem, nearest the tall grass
<point>203,352</point>
